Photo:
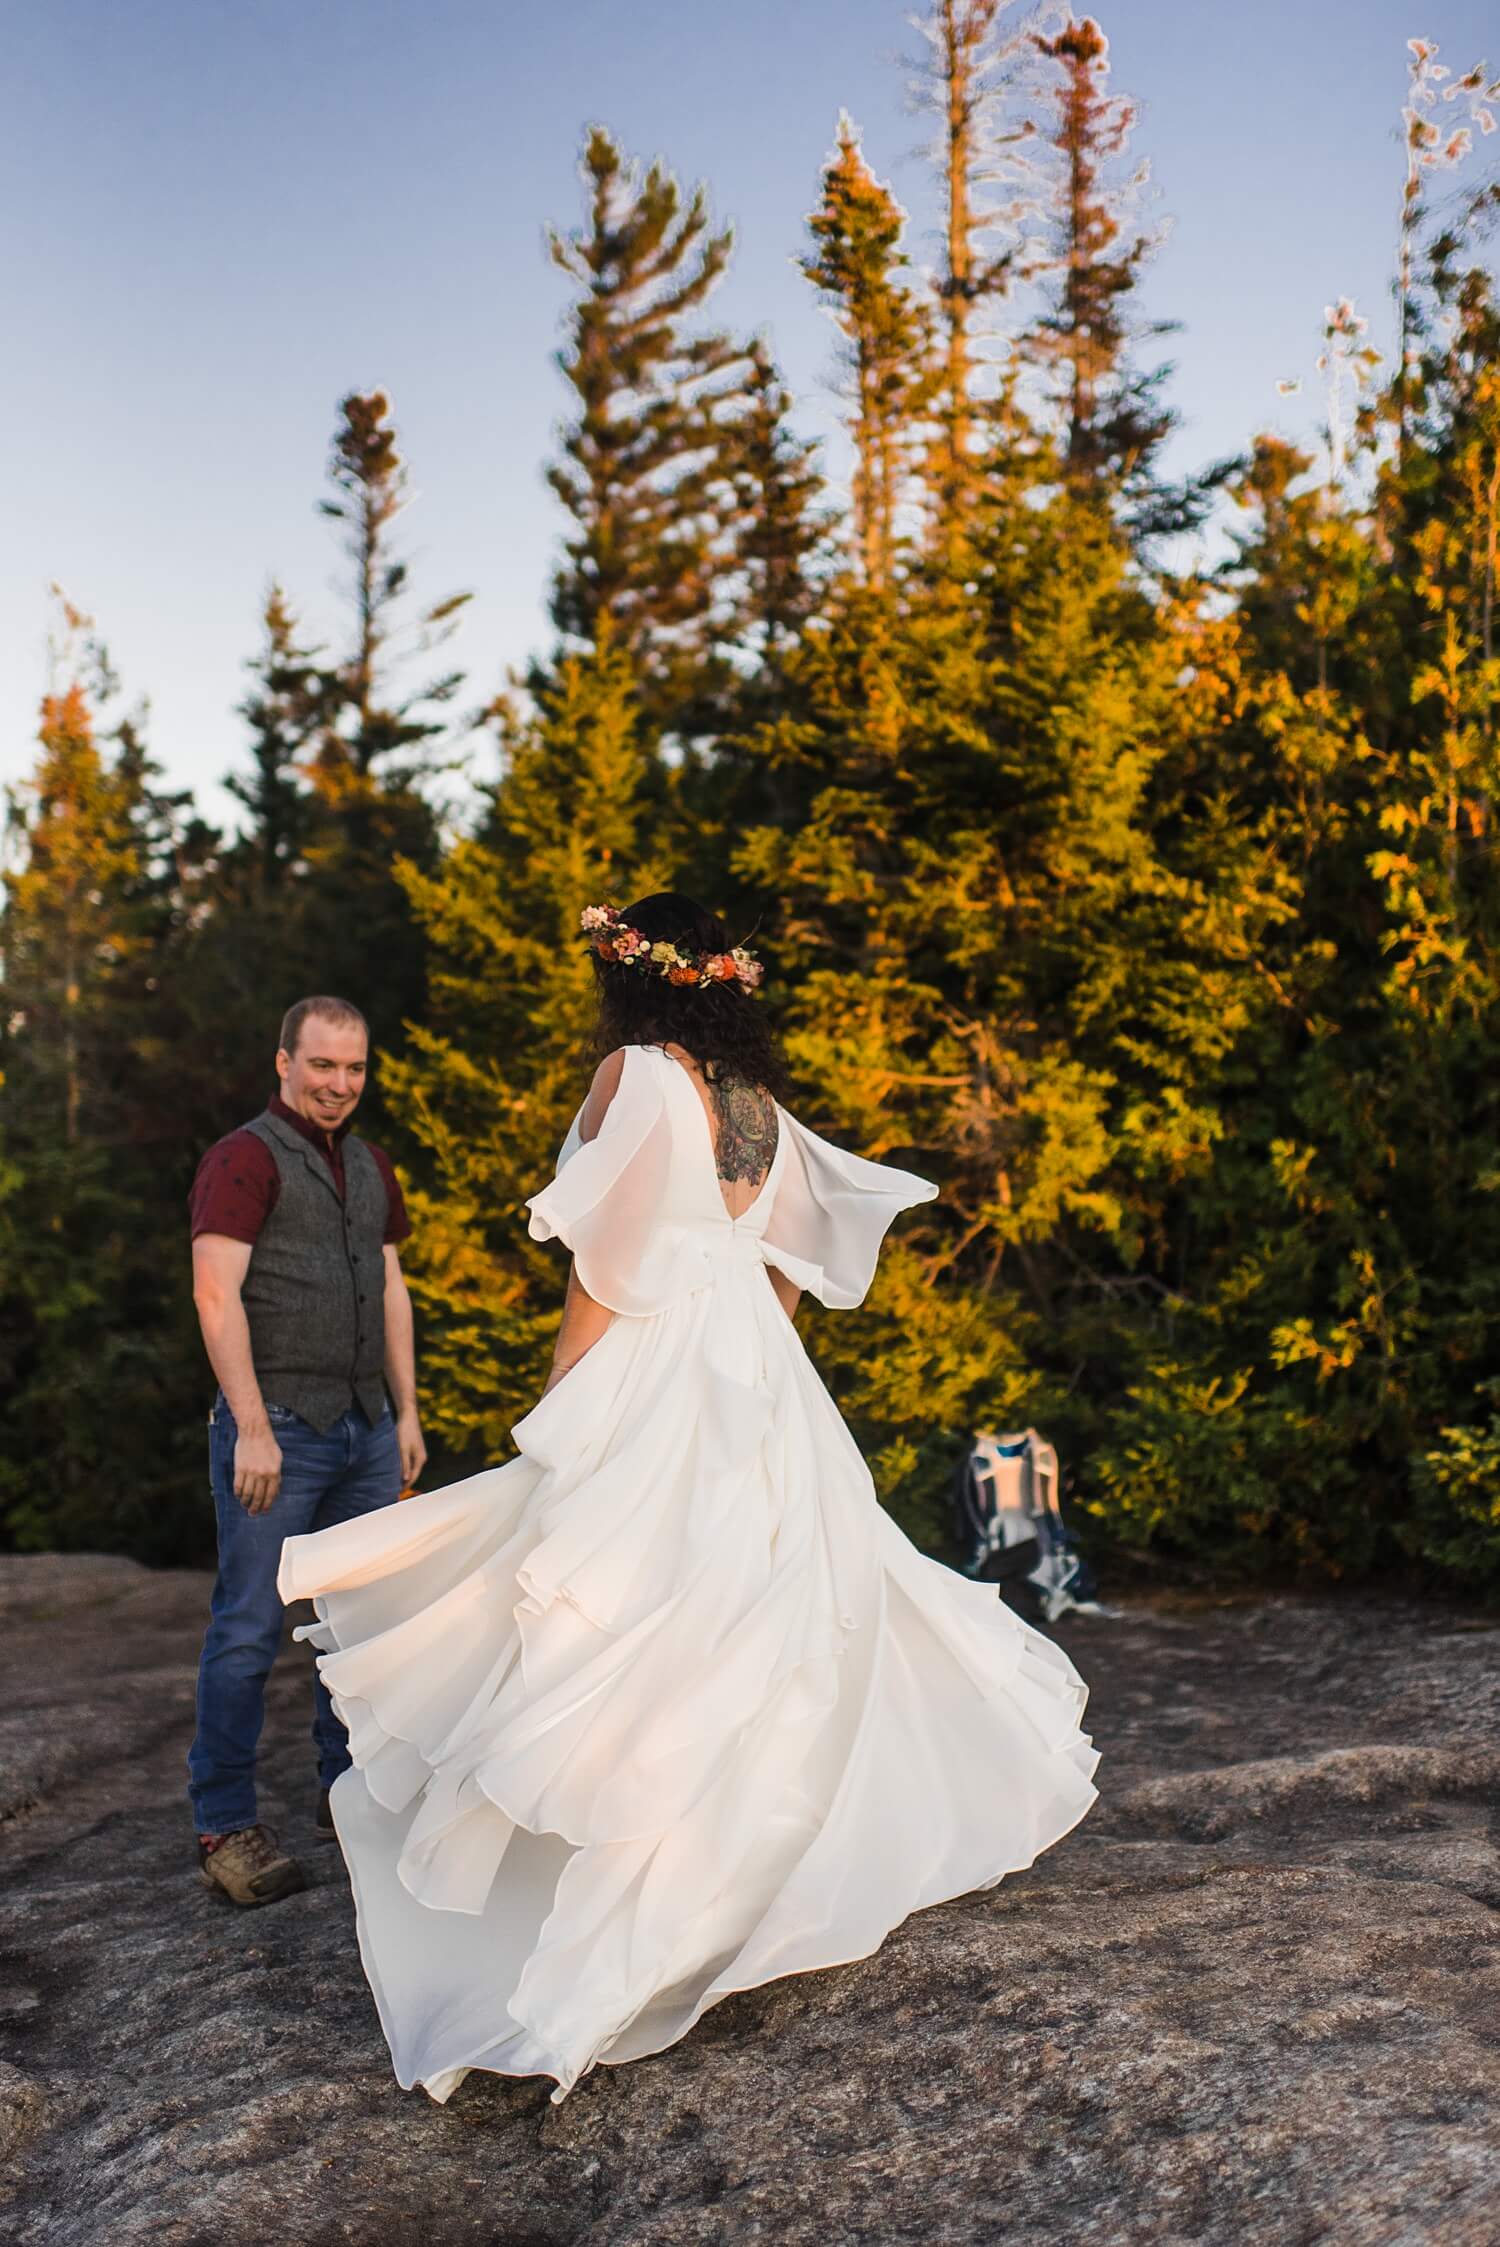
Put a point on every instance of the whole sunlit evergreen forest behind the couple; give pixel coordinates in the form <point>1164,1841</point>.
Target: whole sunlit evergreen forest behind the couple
<point>1122,848</point>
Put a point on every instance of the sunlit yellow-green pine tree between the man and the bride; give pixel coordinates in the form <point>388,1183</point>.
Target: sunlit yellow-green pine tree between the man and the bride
<point>502,1059</point>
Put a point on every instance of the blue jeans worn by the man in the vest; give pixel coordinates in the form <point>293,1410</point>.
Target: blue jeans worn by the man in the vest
<point>324,1480</point>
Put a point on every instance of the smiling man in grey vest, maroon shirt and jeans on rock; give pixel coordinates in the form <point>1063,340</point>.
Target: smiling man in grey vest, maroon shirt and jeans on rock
<point>307,1320</point>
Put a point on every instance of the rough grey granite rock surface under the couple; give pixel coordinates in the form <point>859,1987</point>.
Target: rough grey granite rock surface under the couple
<point>1254,1999</point>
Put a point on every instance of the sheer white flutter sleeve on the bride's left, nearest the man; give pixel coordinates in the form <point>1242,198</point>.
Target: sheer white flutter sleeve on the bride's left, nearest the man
<point>614,1203</point>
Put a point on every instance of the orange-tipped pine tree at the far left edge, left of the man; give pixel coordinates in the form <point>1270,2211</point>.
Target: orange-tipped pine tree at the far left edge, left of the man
<point>95,1372</point>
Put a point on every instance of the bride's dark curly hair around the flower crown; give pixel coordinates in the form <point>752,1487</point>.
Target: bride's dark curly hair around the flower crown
<point>717,1024</point>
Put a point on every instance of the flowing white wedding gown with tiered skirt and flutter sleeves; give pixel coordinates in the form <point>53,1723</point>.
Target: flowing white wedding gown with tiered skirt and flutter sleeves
<point>668,1707</point>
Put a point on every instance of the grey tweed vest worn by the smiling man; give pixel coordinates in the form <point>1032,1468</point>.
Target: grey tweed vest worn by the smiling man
<point>315,1284</point>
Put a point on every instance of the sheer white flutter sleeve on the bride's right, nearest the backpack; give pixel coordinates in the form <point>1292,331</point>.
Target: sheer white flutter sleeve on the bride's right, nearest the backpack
<point>832,1212</point>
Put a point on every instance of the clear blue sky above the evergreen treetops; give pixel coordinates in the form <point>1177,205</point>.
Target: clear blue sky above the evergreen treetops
<point>217,219</point>
